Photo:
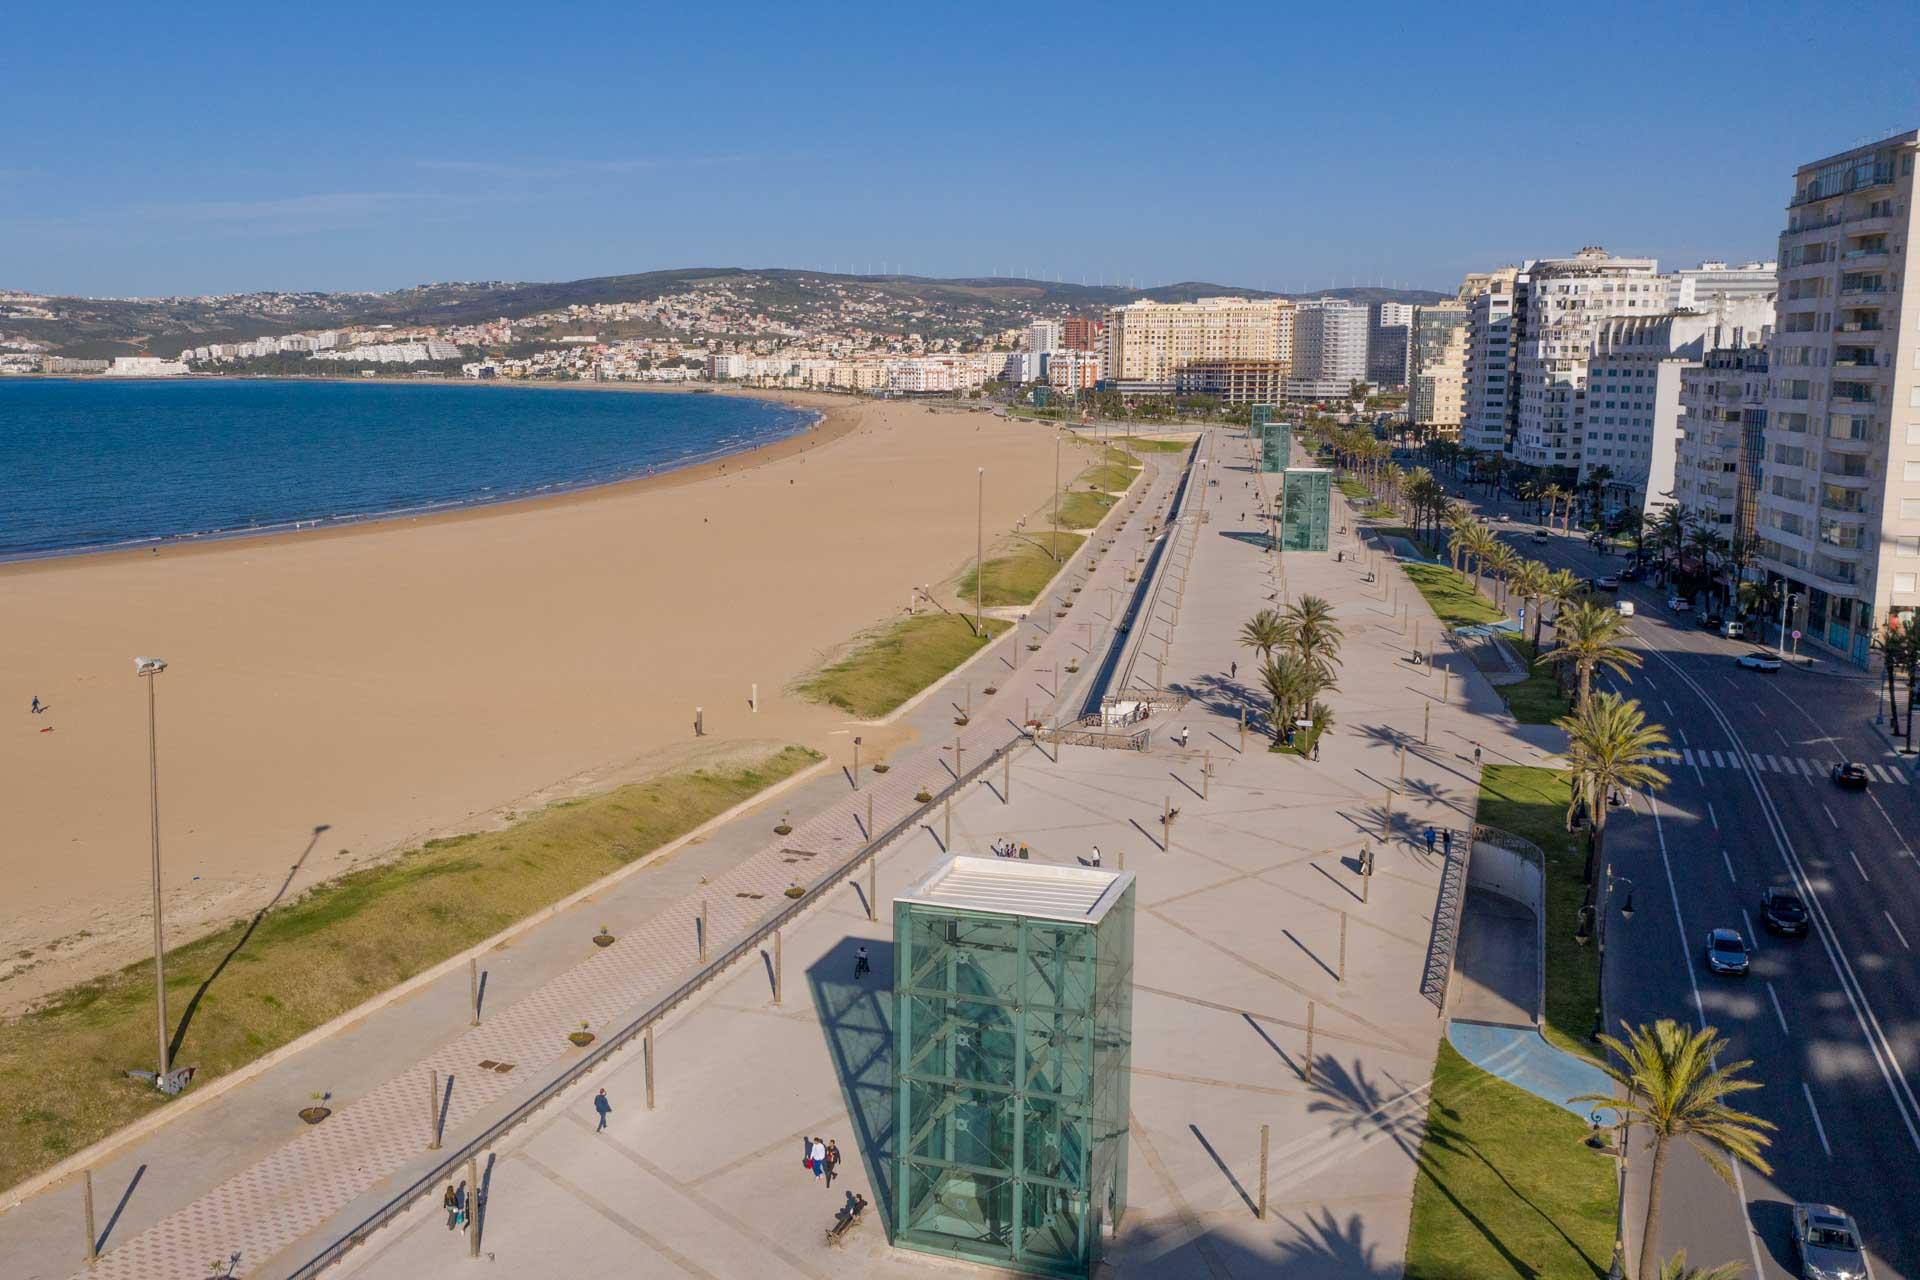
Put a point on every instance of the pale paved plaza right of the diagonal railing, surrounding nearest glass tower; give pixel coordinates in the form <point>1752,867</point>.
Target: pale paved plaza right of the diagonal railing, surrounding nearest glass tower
<point>1239,932</point>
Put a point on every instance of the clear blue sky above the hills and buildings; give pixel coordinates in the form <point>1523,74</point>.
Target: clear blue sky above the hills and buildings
<point>197,149</point>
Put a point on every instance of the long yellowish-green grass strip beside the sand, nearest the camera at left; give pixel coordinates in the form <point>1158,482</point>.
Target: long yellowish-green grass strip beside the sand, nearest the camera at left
<point>306,962</point>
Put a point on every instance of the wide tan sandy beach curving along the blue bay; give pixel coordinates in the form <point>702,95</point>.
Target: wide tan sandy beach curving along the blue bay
<point>412,678</point>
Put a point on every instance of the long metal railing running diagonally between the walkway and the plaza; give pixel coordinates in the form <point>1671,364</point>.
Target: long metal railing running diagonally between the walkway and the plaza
<point>452,1162</point>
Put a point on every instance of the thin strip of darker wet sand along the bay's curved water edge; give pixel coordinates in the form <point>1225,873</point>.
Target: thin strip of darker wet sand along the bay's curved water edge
<point>828,423</point>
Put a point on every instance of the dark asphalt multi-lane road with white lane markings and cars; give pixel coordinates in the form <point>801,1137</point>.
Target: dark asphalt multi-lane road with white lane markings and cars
<point>1831,1022</point>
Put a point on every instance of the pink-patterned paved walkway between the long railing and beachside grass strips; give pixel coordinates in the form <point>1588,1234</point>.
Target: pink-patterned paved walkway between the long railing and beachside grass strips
<point>243,1175</point>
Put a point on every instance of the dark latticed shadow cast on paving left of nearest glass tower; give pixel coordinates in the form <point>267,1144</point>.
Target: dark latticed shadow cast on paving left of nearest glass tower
<point>857,1022</point>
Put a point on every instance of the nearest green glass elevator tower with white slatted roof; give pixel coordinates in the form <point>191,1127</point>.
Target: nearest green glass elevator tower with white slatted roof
<point>1013,1031</point>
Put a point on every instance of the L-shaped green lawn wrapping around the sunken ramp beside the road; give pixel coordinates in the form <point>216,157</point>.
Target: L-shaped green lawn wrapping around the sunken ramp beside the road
<point>1533,803</point>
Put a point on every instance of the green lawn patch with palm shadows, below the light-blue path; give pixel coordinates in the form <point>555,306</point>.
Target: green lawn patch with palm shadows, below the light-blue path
<point>1506,1185</point>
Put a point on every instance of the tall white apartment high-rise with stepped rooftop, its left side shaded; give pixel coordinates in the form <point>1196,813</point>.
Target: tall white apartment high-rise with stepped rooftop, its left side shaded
<point>1566,302</point>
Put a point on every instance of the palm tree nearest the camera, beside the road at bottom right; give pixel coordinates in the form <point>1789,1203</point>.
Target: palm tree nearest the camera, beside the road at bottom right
<point>1675,1091</point>
